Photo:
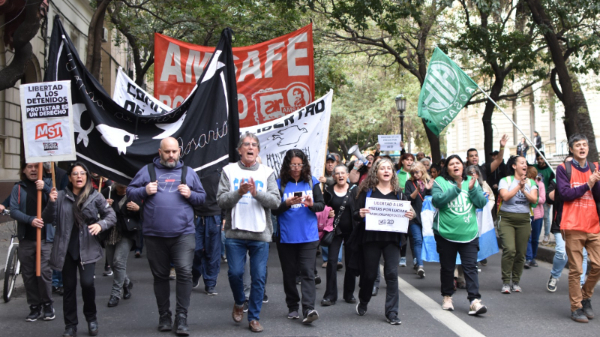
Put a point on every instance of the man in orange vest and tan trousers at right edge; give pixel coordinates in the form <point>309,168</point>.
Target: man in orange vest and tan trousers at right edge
<point>580,225</point>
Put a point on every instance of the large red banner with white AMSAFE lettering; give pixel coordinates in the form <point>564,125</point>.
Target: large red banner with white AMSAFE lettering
<point>274,78</point>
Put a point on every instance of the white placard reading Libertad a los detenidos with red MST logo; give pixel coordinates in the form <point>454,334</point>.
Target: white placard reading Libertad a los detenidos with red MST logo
<point>47,117</point>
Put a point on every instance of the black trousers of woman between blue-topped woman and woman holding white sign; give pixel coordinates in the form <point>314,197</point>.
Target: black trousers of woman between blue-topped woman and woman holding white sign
<point>331,271</point>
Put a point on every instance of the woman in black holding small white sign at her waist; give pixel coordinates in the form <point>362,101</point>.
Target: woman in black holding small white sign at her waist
<point>381,183</point>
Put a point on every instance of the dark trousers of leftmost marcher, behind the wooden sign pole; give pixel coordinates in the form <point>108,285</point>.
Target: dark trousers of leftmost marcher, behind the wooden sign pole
<point>37,289</point>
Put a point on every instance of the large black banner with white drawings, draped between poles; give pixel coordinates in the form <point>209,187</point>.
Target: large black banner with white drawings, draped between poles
<point>116,143</point>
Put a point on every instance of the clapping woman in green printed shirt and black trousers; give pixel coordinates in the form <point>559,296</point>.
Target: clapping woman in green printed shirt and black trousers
<point>457,198</point>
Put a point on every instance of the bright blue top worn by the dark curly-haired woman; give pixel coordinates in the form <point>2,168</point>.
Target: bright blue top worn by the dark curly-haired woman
<point>298,224</point>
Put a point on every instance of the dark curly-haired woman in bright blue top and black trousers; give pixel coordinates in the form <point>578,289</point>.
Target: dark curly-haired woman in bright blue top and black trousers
<point>301,198</point>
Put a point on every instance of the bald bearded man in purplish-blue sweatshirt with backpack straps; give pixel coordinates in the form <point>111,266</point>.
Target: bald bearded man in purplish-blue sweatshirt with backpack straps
<point>169,191</point>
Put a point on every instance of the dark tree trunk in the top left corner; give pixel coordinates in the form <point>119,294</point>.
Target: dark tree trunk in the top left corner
<point>23,49</point>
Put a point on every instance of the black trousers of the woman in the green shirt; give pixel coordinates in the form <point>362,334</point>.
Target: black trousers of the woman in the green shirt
<point>468,257</point>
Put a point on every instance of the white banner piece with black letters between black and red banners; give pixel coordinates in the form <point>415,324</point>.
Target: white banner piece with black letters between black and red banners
<point>135,99</point>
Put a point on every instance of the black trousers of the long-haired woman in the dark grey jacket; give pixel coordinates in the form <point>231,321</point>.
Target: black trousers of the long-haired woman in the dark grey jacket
<point>88,291</point>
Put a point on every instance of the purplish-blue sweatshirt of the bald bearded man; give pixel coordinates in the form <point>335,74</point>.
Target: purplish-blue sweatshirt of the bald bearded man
<point>167,213</point>
